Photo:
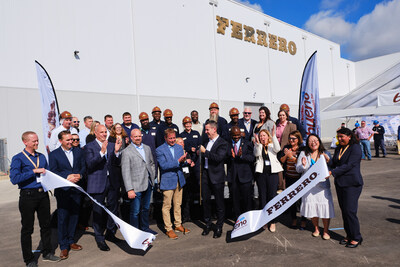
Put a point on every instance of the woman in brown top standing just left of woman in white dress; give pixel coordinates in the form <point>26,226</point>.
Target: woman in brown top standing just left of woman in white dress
<point>288,157</point>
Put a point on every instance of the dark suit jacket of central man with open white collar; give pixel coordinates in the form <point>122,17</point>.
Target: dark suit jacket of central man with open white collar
<point>216,159</point>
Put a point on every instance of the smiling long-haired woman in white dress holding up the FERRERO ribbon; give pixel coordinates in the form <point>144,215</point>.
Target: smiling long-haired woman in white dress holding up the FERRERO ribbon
<point>318,202</point>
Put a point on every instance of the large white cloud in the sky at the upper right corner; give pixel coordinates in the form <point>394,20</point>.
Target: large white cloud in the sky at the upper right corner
<point>375,34</point>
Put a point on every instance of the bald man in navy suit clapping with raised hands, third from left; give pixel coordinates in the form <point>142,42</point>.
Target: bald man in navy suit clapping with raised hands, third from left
<point>100,156</point>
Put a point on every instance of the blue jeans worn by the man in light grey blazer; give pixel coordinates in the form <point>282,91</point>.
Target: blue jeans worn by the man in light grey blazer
<point>140,206</point>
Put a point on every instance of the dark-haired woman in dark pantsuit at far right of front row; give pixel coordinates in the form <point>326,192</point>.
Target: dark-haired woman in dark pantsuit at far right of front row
<point>348,182</point>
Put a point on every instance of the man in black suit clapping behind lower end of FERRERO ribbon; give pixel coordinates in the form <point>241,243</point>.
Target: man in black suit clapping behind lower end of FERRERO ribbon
<point>240,172</point>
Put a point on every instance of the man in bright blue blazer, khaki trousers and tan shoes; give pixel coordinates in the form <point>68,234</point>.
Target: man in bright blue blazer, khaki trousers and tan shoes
<point>171,157</point>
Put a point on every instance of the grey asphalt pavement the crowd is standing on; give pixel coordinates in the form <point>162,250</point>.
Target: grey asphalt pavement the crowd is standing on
<point>379,213</point>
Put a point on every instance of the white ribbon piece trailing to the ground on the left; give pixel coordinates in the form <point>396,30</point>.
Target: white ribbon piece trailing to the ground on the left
<point>134,237</point>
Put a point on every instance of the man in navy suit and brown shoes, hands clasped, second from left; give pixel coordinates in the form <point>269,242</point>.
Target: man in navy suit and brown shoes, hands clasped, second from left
<point>69,164</point>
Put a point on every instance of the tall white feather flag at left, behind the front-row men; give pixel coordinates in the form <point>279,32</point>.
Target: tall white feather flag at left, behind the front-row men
<point>49,104</point>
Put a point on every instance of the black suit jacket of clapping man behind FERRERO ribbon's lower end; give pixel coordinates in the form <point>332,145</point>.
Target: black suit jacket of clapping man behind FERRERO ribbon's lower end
<point>241,167</point>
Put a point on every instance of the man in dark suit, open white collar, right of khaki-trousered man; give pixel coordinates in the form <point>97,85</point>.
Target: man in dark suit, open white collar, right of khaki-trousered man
<point>213,180</point>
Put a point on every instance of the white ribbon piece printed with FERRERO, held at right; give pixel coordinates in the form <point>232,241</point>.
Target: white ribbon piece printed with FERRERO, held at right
<point>251,221</point>
